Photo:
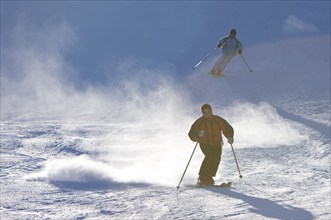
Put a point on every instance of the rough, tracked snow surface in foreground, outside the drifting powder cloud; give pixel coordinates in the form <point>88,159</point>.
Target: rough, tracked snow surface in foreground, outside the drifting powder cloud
<point>280,182</point>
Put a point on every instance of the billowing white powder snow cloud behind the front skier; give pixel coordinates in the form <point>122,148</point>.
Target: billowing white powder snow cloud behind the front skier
<point>149,113</point>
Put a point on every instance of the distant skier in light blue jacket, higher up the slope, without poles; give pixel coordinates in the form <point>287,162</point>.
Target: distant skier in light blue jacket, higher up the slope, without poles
<point>231,46</point>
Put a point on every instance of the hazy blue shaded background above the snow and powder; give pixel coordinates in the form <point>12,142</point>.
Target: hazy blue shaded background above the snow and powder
<point>170,34</point>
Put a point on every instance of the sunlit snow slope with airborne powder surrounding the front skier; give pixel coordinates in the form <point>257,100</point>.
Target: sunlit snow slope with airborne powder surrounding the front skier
<point>119,152</point>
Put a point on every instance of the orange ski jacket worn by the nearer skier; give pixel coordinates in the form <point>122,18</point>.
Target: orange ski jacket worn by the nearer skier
<point>213,129</point>
